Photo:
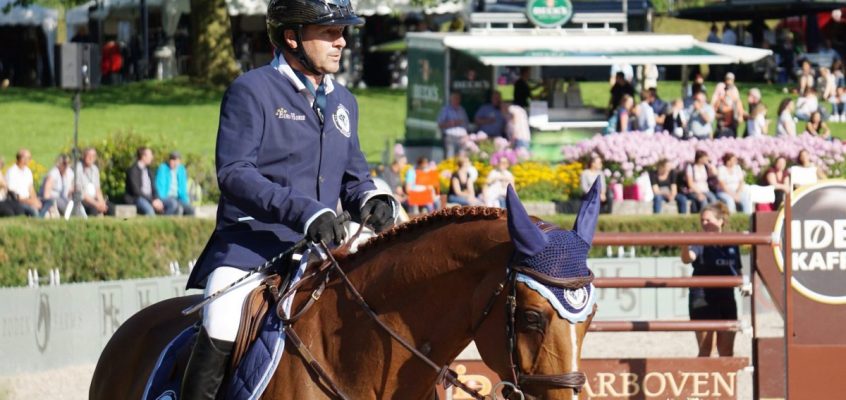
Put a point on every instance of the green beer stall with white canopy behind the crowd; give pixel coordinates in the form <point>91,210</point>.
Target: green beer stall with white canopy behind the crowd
<point>467,62</point>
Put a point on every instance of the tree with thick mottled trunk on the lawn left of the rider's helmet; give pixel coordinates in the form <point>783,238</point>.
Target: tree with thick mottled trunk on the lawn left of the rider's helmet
<point>213,59</point>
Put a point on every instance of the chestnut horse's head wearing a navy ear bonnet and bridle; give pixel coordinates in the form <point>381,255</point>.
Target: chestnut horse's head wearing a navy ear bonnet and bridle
<point>550,304</point>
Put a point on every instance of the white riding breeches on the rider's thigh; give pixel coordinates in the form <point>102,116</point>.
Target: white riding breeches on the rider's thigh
<point>222,316</point>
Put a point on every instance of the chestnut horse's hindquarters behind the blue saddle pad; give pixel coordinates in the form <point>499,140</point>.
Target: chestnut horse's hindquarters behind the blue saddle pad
<point>129,357</point>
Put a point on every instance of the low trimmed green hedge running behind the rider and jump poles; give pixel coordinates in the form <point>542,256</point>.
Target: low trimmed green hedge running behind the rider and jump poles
<point>108,248</point>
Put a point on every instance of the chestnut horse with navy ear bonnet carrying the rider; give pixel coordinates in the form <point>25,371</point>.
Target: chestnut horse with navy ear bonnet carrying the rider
<point>435,281</point>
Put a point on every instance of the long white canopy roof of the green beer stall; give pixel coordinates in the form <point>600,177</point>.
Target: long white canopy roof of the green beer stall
<point>580,48</point>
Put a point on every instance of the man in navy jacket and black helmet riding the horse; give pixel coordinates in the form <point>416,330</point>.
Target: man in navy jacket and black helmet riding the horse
<point>287,155</point>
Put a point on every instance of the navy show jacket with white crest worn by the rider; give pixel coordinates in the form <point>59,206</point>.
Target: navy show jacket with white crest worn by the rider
<point>277,168</point>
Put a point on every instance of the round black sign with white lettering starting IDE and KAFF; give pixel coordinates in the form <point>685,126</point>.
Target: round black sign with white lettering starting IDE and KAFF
<point>818,243</point>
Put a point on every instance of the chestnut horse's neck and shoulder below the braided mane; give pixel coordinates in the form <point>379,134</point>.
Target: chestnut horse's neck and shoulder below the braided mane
<point>428,290</point>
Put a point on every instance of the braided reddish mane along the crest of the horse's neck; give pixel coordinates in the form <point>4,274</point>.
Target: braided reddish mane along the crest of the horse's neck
<point>451,214</point>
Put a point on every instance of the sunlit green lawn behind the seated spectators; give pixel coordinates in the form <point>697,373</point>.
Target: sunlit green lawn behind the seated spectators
<point>187,115</point>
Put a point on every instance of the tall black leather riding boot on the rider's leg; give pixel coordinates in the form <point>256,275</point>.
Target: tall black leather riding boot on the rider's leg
<point>206,367</point>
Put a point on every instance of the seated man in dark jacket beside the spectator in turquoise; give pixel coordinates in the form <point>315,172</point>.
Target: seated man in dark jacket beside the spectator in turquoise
<point>140,187</point>
